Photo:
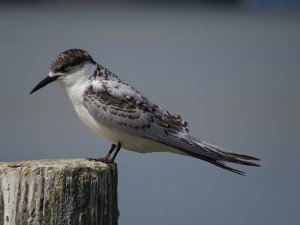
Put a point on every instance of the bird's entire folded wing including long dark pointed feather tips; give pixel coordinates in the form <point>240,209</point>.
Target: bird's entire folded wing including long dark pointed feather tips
<point>119,106</point>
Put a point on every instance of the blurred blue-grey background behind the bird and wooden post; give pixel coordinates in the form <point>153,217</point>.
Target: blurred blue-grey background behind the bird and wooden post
<point>230,68</point>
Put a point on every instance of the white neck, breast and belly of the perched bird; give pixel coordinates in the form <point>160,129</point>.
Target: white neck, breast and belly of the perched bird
<point>74,86</point>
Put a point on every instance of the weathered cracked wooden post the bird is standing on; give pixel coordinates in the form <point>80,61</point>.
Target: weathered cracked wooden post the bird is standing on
<point>58,192</point>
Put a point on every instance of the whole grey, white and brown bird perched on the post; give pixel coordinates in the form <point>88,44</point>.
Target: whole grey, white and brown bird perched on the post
<point>120,114</point>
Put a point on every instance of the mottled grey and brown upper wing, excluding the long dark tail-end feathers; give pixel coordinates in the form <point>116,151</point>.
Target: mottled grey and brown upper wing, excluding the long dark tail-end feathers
<point>119,106</point>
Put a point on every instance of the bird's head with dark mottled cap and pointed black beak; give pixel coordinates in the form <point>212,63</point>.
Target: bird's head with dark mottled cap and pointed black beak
<point>66,66</point>
